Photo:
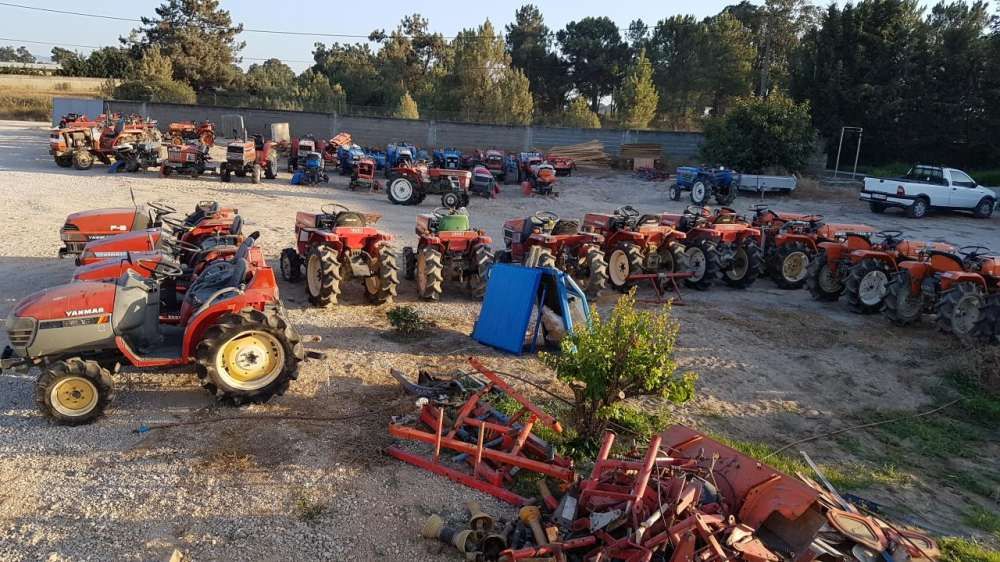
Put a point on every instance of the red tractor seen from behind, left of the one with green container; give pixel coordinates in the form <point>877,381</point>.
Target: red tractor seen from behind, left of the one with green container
<point>337,244</point>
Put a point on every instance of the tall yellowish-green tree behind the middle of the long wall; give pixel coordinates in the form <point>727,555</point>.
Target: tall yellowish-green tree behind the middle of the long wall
<point>484,83</point>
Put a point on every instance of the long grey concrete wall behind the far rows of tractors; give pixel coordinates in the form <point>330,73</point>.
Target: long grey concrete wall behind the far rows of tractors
<point>376,131</point>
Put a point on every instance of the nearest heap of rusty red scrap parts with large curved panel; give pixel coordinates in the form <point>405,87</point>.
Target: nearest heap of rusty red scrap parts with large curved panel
<point>686,498</point>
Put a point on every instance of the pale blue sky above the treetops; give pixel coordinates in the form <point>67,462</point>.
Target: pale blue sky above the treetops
<point>326,16</point>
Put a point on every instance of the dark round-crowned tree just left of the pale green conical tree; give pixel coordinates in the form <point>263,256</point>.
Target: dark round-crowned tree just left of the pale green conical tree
<point>596,54</point>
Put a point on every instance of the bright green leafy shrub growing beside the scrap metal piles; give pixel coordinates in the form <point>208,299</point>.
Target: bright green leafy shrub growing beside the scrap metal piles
<point>631,354</point>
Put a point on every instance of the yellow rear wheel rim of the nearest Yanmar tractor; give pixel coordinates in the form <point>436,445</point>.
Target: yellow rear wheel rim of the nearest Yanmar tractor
<point>251,360</point>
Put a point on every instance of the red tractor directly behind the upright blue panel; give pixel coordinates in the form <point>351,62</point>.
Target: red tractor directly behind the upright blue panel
<point>545,240</point>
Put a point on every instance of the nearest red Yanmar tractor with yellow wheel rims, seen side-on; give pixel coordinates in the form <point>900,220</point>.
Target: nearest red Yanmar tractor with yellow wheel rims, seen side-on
<point>230,325</point>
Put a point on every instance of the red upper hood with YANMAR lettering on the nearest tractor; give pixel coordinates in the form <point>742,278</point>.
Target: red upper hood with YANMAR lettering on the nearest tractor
<point>73,300</point>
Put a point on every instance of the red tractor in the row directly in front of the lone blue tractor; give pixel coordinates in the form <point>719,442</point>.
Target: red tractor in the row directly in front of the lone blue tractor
<point>717,243</point>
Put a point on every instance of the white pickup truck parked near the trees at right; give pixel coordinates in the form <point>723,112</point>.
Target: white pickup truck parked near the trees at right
<point>927,187</point>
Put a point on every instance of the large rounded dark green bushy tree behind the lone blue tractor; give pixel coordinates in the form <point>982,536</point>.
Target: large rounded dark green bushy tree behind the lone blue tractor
<point>758,134</point>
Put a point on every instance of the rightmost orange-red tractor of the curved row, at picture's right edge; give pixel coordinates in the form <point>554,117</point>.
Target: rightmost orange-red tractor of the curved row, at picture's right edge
<point>956,287</point>
